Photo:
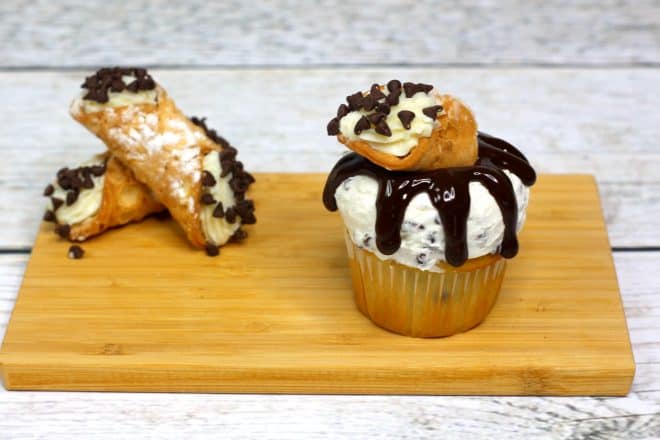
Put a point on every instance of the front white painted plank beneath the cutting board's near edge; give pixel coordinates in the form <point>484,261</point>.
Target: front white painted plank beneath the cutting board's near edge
<point>113,415</point>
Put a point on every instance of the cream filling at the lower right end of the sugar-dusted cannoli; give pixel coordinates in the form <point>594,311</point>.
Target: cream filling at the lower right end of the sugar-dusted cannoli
<point>218,230</point>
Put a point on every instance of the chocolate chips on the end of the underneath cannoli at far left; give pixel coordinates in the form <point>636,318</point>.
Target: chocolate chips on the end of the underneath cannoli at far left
<point>72,181</point>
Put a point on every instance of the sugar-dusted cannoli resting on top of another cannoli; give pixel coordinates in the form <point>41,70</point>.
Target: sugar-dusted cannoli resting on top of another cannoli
<point>190,169</point>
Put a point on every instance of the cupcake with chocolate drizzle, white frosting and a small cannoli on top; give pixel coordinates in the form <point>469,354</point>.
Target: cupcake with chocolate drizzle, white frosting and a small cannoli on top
<point>431,208</point>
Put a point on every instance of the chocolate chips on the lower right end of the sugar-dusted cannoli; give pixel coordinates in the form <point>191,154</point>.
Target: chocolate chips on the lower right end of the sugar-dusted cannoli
<point>239,183</point>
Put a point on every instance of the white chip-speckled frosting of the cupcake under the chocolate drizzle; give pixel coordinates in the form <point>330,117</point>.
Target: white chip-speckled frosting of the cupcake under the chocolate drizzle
<point>422,232</point>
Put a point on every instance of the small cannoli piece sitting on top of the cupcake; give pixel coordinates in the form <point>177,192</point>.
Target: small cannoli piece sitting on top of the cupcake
<point>407,127</point>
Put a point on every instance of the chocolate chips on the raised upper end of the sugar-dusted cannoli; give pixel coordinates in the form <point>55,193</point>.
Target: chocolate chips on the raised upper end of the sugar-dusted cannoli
<point>111,79</point>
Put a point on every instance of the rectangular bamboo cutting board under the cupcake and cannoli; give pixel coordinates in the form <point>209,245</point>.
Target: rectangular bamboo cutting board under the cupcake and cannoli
<point>144,312</point>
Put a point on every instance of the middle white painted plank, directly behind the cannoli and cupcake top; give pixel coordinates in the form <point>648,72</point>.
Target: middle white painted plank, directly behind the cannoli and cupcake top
<point>599,121</point>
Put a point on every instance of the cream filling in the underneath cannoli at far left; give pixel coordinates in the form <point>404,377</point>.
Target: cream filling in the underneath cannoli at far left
<point>88,202</point>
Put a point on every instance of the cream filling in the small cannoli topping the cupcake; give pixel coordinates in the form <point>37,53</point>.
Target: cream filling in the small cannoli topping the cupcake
<point>402,140</point>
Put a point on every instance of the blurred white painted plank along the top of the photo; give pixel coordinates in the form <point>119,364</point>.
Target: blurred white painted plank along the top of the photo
<point>75,33</point>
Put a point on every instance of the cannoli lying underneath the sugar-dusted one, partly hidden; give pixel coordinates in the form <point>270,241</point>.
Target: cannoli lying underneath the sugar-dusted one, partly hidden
<point>98,195</point>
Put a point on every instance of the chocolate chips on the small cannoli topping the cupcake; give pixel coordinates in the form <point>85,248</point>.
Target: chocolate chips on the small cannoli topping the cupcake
<point>381,105</point>
